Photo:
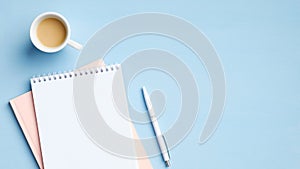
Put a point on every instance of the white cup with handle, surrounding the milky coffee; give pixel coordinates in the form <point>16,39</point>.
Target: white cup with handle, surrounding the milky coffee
<point>38,44</point>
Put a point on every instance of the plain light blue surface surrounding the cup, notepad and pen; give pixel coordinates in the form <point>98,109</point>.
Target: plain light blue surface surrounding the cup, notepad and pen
<point>257,41</point>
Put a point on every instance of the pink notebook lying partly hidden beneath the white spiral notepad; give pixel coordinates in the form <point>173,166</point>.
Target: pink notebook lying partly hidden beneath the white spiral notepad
<point>24,111</point>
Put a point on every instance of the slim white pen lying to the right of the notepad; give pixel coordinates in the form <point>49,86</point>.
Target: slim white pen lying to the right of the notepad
<point>160,138</point>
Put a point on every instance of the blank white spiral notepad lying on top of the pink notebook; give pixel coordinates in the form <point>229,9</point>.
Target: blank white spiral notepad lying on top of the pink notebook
<point>71,134</point>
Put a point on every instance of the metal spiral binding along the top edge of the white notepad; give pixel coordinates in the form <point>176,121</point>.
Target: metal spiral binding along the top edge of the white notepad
<point>73,74</point>
